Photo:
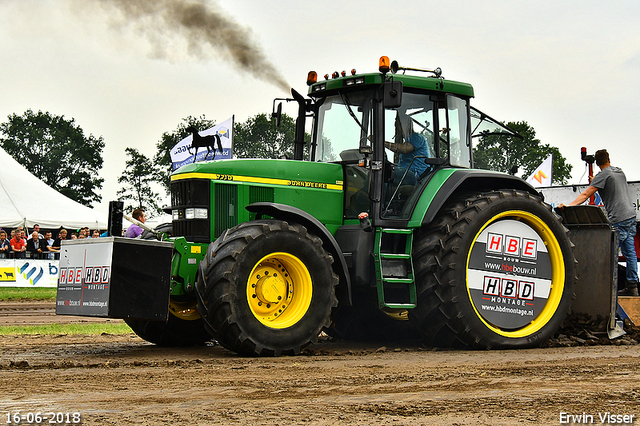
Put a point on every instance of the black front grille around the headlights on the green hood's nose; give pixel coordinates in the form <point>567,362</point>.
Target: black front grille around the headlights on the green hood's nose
<point>191,193</point>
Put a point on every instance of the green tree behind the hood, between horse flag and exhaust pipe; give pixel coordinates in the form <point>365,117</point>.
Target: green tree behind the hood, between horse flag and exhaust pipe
<point>258,137</point>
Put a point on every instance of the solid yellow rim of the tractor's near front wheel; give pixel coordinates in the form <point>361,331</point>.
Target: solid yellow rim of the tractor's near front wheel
<point>279,290</point>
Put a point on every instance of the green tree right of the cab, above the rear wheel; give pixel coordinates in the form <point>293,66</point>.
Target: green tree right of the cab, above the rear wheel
<point>501,153</point>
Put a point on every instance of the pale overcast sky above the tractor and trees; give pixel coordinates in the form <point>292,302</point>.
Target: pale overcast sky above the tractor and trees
<point>571,69</point>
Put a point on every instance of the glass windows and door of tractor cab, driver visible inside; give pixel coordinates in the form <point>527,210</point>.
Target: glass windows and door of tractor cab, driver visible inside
<point>425,132</point>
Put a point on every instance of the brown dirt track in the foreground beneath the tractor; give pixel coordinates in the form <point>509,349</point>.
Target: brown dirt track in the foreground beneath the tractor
<point>121,380</point>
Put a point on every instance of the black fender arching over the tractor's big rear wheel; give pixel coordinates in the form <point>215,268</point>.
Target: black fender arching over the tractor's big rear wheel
<point>474,180</point>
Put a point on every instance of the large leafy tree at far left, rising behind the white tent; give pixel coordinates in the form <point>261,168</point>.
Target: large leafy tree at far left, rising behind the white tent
<point>56,151</point>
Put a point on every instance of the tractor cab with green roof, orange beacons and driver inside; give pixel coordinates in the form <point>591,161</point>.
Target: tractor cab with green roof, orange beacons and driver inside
<point>391,132</point>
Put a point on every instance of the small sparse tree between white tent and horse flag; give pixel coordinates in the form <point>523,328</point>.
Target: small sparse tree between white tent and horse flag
<point>138,175</point>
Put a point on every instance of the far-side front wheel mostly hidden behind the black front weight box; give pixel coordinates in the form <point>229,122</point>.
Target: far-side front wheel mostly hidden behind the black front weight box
<point>184,326</point>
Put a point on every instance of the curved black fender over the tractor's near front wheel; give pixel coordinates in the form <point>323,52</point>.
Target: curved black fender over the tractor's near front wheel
<point>293,214</point>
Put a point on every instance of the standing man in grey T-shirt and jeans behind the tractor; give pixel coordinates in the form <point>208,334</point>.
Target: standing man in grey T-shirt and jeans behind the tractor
<point>611,184</point>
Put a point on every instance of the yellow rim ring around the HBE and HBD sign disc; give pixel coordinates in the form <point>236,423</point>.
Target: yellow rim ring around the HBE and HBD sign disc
<point>556,259</point>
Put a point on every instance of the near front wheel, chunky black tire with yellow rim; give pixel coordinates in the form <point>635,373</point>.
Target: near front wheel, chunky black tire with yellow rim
<point>267,288</point>
